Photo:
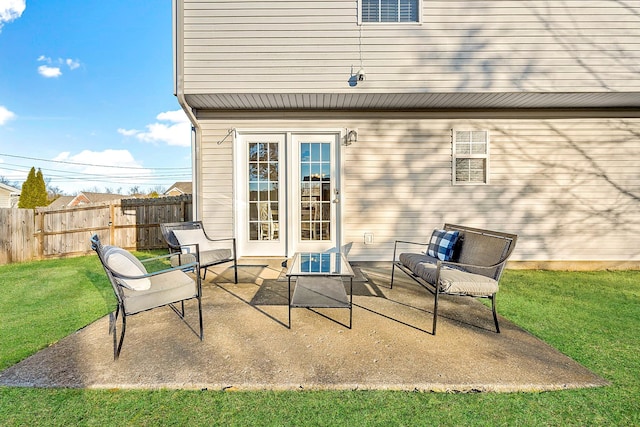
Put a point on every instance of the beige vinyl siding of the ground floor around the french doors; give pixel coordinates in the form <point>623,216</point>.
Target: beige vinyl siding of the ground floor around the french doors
<point>569,187</point>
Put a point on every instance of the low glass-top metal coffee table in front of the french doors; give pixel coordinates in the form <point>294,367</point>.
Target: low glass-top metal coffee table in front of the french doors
<point>318,282</point>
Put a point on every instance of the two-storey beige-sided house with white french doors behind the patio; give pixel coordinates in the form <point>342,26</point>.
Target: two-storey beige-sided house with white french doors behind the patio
<point>326,123</point>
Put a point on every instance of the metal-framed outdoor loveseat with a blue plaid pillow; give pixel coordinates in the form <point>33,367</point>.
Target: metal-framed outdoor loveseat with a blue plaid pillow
<point>457,260</point>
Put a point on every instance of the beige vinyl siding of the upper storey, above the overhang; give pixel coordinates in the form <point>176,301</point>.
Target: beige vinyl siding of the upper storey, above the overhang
<point>460,46</point>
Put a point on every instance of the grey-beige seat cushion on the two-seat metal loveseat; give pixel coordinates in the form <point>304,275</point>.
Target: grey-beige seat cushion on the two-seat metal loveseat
<point>455,281</point>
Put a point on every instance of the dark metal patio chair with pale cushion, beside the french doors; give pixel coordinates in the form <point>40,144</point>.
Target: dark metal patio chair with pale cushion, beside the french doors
<point>188,242</point>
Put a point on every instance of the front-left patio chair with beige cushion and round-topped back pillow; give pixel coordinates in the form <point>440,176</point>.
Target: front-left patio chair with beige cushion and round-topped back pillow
<point>138,290</point>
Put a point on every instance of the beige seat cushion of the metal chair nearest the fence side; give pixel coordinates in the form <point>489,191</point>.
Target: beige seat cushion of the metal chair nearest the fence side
<point>165,288</point>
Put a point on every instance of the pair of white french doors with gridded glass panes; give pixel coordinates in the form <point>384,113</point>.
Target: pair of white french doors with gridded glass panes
<point>288,193</point>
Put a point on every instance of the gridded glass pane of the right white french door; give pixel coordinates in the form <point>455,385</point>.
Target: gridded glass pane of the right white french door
<point>315,191</point>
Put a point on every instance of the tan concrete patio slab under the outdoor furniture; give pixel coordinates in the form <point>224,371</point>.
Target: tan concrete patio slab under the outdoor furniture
<point>248,346</point>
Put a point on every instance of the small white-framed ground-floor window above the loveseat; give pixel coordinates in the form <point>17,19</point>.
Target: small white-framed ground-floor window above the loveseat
<point>470,157</point>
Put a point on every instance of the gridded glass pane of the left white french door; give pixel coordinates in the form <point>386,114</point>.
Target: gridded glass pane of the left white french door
<point>264,182</point>
